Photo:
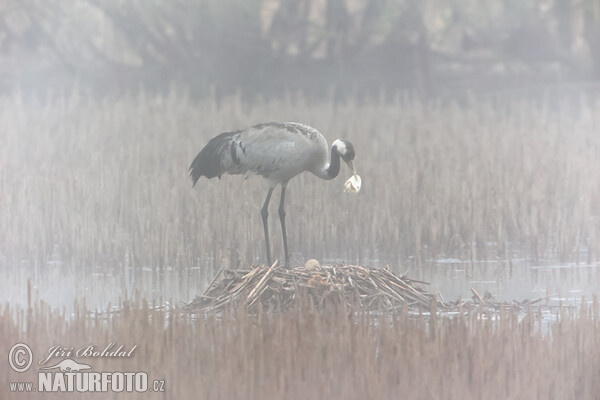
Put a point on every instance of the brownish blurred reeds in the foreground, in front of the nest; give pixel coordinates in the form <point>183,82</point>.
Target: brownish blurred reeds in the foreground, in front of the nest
<point>333,353</point>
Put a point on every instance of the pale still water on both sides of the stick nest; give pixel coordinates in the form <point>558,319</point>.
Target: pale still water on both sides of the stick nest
<point>60,285</point>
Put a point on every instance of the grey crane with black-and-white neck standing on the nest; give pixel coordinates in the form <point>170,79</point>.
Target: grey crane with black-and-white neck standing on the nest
<point>278,152</point>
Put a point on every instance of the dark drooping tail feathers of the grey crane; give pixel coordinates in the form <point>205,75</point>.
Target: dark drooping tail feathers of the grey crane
<point>213,159</point>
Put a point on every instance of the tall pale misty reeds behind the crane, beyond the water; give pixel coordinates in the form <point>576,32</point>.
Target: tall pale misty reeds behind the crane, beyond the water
<point>102,184</point>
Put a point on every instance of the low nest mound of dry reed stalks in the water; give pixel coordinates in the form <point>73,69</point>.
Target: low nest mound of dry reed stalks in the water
<point>275,288</point>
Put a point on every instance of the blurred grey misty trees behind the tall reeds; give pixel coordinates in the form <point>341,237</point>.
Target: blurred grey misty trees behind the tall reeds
<point>335,48</point>
